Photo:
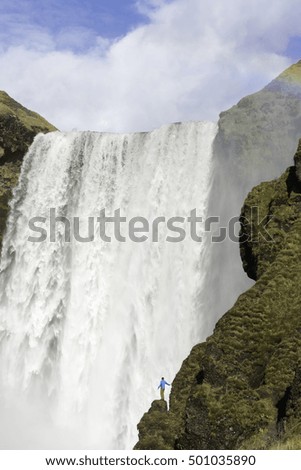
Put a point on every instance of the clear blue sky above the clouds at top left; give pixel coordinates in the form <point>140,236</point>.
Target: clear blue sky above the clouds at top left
<point>107,18</point>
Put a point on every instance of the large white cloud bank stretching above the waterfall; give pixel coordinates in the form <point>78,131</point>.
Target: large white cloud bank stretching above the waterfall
<point>194,59</point>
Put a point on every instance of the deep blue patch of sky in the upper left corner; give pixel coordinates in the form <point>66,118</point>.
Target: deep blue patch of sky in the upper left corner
<point>109,19</point>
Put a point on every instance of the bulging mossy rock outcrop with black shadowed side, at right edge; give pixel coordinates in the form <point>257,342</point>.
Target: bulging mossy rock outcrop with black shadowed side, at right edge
<point>268,215</point>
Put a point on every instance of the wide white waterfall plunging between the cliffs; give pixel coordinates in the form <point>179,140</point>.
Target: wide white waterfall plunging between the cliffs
<point>87,329</point>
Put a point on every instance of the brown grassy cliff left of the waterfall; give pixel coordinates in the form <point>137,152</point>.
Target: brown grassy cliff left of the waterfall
<point>18,127</point>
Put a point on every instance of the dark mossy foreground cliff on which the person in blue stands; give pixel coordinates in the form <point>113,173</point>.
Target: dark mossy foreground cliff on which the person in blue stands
<point>241,389</point>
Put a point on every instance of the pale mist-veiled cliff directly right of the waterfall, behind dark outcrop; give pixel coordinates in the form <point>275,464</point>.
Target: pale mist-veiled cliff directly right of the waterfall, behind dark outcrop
<point>255,142</point>
